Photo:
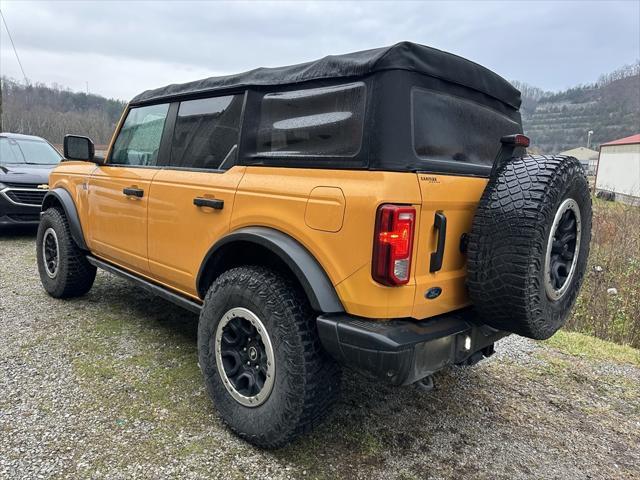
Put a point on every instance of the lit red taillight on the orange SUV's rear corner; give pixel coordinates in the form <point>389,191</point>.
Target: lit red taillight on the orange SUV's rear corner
<point>393,244</point>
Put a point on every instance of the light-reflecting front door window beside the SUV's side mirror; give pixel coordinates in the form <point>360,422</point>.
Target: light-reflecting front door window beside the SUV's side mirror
<point>139,139</point>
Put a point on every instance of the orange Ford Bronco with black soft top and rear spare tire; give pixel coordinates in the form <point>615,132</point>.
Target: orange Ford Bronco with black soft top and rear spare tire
<point>375,209</point>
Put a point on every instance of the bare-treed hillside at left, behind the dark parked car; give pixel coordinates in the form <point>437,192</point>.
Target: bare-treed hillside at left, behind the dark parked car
<point>52,112</point>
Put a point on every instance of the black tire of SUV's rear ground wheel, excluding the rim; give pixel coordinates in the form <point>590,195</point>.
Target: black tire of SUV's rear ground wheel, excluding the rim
<point>307,380</point>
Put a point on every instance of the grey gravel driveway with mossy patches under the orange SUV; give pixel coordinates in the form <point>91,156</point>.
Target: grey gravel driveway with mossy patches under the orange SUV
<point>107,386</point>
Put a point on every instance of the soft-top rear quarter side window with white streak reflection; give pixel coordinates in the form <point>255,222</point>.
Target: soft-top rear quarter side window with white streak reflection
<point>315,122</point>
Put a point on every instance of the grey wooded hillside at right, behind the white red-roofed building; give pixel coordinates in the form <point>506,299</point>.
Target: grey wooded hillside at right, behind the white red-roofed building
<point>560,121</point>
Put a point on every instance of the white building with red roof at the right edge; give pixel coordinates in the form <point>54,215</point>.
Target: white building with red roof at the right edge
<point>619,169</point>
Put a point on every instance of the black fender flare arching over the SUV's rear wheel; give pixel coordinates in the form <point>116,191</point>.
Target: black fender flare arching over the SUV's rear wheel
<point>269,247</point>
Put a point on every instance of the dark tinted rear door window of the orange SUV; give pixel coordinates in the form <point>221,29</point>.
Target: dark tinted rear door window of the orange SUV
<point>206,133</point>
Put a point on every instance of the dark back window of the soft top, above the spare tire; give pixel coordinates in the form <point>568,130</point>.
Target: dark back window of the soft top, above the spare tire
<point>450,128</point>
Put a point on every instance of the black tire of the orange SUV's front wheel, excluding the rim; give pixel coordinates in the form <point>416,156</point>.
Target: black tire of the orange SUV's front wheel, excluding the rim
<point>75,275</point>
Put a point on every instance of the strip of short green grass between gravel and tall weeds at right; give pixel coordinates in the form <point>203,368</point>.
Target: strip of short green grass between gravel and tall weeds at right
<point>585,346</point>
